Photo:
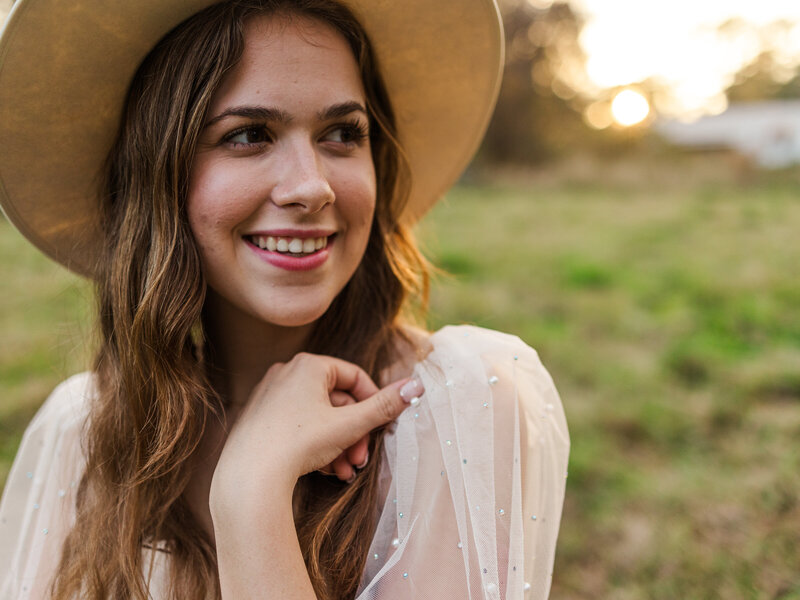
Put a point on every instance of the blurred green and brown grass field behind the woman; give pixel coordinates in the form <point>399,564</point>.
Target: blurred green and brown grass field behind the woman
<point>669,316</point>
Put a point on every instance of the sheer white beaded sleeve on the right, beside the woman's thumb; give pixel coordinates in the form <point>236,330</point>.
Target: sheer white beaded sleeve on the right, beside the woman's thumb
<point>475,477</point>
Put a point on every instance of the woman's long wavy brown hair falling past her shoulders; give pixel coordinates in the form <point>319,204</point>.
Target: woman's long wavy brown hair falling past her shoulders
<point>153,398</point>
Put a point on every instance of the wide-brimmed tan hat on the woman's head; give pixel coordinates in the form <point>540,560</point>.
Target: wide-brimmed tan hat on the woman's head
<point>65,66</point>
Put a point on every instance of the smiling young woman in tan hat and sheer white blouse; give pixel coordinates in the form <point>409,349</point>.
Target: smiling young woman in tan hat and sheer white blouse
<point>261,421</point>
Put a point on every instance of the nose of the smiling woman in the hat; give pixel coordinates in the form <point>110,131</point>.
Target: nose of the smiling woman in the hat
<point>302,181</point>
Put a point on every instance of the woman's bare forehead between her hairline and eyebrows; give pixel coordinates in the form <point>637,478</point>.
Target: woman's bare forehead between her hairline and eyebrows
<point>291,61</point>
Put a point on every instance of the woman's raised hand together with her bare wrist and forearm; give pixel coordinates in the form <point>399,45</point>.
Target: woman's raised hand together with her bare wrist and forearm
<point>298,418</point>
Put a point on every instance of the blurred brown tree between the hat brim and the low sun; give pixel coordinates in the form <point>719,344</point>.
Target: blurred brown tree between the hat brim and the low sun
<point>538,111</point>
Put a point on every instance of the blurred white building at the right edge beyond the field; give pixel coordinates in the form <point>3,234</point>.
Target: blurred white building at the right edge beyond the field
<point>767,132</point>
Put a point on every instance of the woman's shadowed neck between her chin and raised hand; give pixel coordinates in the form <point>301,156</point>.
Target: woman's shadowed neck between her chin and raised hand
<point>240,347</point>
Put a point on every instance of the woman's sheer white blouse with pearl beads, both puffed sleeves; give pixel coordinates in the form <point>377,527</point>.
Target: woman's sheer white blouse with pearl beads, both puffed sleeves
<point>474,478</point>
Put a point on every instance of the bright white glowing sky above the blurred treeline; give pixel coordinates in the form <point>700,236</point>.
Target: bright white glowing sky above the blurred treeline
<point>677,44</point>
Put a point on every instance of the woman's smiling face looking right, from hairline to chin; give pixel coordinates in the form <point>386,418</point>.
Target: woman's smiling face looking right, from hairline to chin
<point>282,189</point>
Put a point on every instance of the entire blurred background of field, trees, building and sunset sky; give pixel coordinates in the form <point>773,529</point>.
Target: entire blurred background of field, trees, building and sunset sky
<point>633,214</point>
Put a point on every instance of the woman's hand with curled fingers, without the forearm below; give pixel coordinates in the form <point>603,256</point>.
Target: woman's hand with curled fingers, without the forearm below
<point>302,416</point>
